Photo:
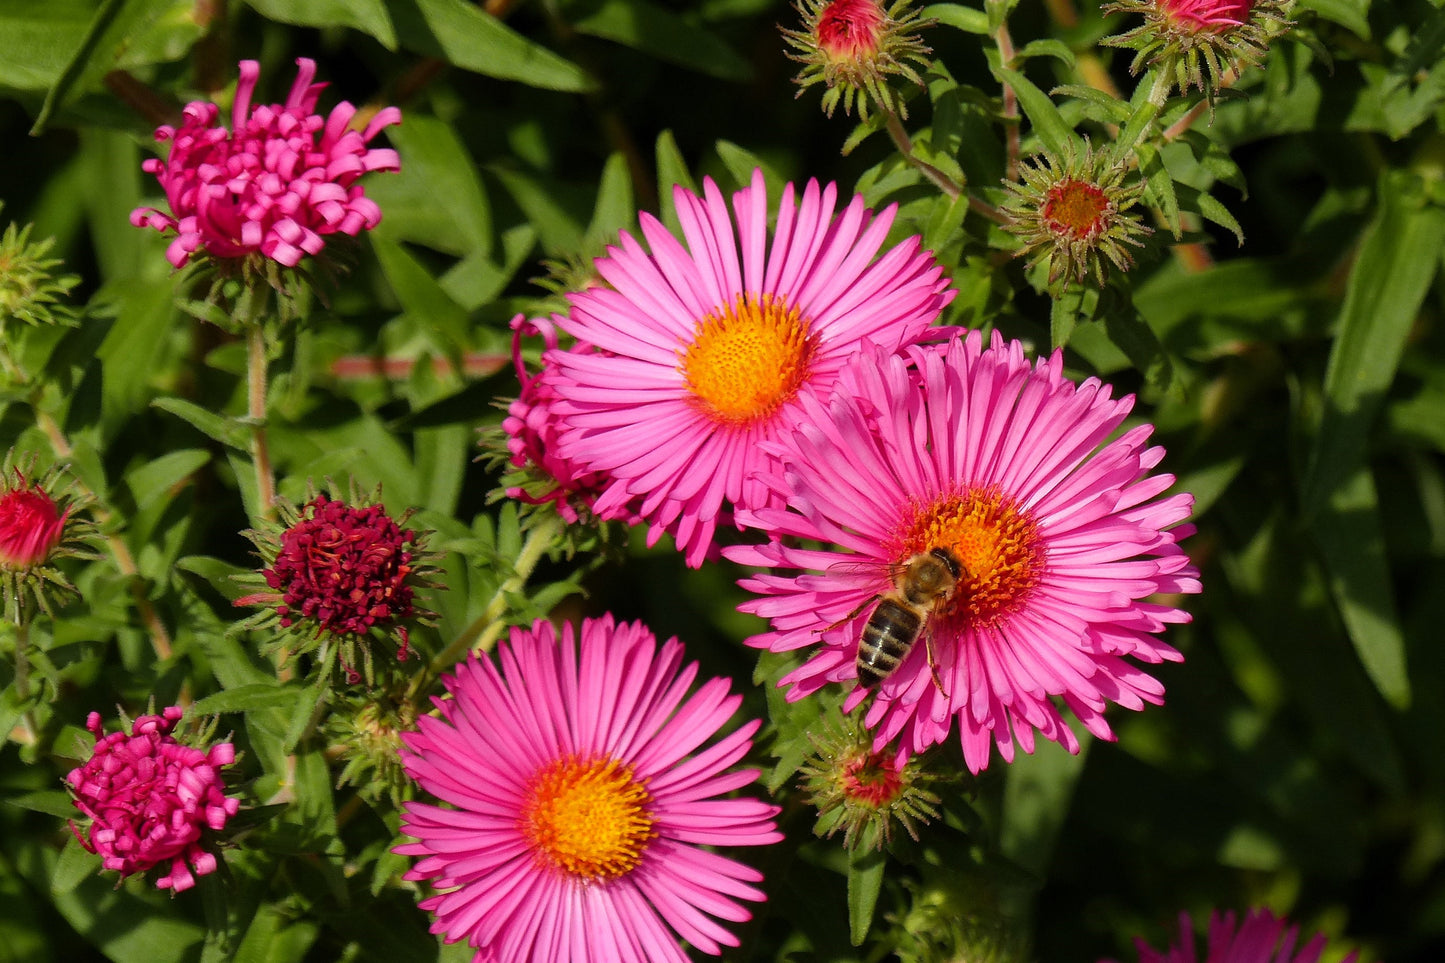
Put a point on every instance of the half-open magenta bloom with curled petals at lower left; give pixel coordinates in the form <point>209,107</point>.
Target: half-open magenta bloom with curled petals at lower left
<point>150,799</point>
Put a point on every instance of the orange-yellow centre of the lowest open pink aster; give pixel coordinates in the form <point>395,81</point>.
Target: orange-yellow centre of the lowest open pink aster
<point>587,819</point>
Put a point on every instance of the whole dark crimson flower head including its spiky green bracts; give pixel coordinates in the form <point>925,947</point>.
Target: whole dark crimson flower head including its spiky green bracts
<point>337,578</point>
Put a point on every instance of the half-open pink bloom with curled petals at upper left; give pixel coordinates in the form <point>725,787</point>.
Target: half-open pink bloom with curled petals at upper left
<point>275,184</point>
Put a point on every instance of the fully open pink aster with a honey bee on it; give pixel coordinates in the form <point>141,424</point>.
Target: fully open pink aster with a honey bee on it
<point>1054,533</point>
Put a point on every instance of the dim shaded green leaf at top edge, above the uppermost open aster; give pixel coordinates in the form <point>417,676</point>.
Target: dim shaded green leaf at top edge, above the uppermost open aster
<point>665,35</point>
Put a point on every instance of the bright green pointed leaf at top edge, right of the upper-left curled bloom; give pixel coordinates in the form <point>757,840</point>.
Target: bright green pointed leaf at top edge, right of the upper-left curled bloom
<point>465,35</point>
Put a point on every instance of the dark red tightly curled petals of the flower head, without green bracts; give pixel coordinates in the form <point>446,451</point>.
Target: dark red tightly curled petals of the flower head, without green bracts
<point>345,569</point>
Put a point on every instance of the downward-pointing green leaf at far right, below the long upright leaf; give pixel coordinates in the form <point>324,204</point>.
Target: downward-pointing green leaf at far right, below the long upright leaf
<point>1352,546</point>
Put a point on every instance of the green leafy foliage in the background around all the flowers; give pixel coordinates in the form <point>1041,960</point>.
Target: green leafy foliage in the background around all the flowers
<point>1298,382</point>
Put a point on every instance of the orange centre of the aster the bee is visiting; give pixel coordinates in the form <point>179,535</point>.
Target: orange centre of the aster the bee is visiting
<point>998,546</point>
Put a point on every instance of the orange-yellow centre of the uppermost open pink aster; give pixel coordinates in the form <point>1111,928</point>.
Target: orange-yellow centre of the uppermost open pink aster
<point>748,359</point>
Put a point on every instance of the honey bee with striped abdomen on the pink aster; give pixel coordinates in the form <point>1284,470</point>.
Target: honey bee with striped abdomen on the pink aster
<point>921,588</point>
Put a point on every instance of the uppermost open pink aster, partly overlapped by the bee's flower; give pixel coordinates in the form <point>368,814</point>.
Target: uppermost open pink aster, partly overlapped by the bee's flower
<point>703,354</point>
